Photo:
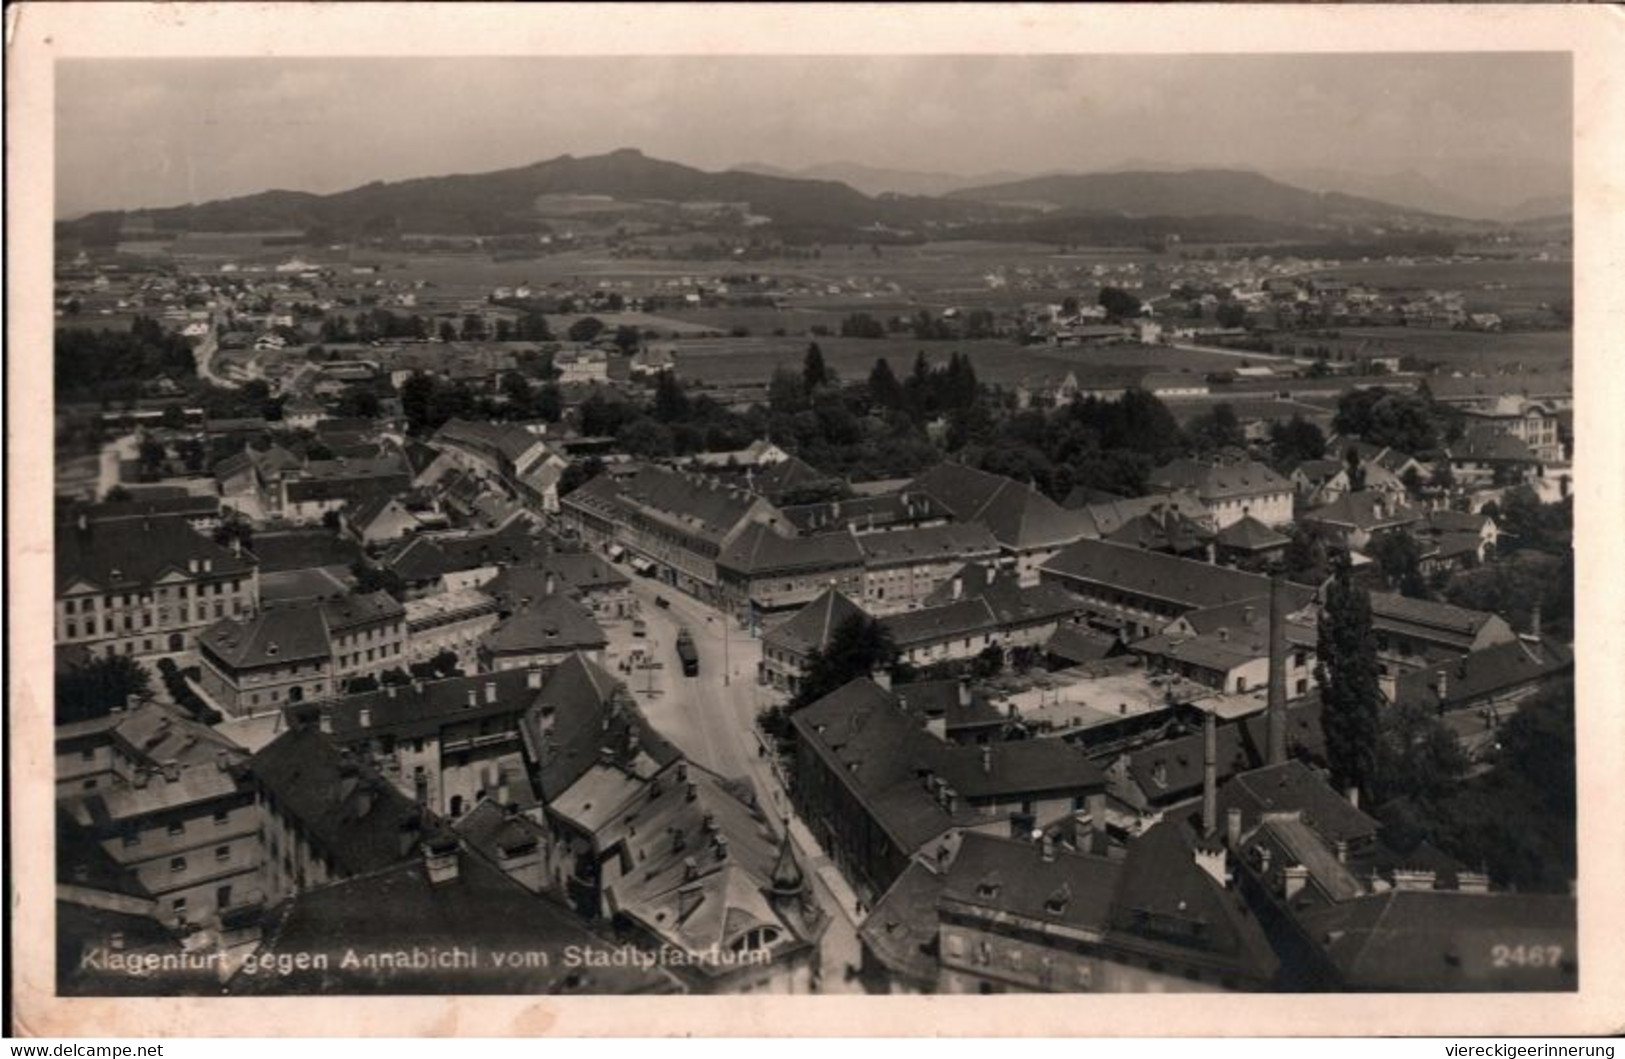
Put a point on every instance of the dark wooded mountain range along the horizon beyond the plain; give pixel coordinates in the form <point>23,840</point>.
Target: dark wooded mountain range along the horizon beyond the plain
<point>797,205</point>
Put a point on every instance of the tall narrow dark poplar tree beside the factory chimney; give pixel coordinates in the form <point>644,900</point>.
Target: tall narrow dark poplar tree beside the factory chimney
<point>1346,672</point>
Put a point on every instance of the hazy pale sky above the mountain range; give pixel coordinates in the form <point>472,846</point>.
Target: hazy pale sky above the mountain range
<point>167,132</point>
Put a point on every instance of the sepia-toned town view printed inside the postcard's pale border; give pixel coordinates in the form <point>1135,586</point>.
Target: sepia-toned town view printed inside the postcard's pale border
<point>817,525</point>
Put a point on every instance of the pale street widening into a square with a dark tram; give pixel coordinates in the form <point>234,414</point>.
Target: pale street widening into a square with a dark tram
<point>713,720</point>
